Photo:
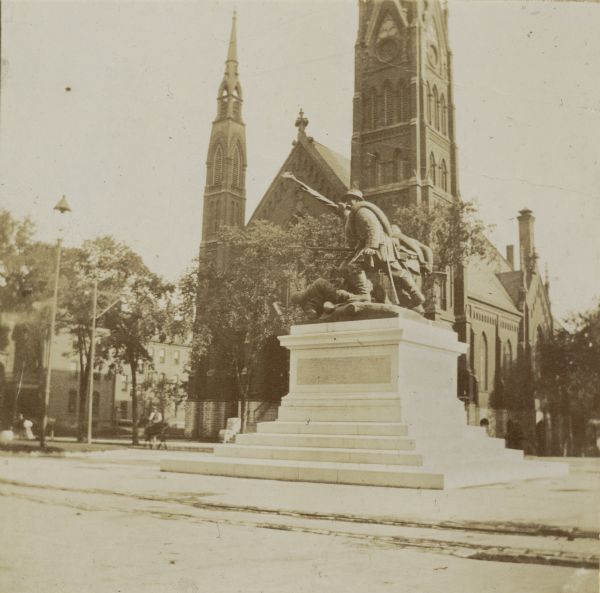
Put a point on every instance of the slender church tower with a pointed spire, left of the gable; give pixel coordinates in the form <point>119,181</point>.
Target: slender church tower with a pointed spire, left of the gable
<point>225,190</point>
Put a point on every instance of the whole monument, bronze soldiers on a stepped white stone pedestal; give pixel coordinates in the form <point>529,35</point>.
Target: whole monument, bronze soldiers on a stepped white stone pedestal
<point>372,388</point>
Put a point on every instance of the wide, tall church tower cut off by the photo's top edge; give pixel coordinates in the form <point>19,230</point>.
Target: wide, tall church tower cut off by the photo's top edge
<point>403,143</point>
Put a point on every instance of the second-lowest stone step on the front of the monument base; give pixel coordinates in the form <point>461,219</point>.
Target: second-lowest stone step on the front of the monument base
<point>331,454</point>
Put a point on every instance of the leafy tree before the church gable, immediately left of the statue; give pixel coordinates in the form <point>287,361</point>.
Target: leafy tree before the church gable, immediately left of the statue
<point>238,294</point>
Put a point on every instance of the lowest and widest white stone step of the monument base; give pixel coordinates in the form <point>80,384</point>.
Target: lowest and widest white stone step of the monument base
<point>373,475</point>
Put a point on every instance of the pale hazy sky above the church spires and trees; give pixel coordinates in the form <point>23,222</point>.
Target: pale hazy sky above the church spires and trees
<point>111,104</point>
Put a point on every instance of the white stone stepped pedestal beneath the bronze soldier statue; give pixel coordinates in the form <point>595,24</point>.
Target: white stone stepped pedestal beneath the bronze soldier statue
<point>372,402</point>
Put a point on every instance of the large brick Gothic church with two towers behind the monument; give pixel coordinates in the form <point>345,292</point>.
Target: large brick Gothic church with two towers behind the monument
<point>403,151</point>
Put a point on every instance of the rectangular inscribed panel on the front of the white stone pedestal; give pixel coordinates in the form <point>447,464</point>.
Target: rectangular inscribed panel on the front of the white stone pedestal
<point>344,371</point>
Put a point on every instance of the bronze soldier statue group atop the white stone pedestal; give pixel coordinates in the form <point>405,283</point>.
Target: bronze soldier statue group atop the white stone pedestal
<point>382,272</point>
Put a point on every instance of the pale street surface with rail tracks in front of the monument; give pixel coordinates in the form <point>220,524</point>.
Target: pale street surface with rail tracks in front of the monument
<point>111,521</point>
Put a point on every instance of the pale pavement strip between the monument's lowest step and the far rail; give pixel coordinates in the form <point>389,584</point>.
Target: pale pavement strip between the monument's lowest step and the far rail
<point>567,506</point>
